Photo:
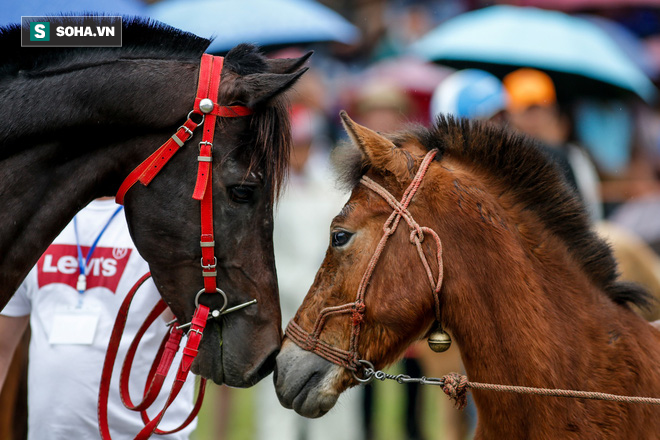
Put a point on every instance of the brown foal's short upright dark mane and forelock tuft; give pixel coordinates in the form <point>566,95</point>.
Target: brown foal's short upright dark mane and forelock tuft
<point>532,178</point>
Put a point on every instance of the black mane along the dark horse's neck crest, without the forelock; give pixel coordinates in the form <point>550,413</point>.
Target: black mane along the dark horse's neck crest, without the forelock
<point>141,38</point>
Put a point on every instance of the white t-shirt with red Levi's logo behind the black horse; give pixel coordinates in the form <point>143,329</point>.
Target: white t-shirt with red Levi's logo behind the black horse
<point>64,378</point>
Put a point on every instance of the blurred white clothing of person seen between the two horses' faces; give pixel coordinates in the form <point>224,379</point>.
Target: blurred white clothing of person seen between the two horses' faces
<point>307,207</point>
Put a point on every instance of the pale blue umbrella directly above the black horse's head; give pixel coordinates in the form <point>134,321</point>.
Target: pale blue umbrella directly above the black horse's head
<point>264,22</point>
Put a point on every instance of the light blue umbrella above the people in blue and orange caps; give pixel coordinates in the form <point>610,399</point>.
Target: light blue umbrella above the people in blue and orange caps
<point>572,50</point>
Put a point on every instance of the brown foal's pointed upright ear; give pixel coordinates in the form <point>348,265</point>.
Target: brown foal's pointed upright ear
<point>381,153</point>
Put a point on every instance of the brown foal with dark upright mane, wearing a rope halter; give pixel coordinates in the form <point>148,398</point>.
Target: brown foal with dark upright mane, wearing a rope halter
<point>530,294</point>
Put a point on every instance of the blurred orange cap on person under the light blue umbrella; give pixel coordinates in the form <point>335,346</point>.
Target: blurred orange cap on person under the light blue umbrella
<point>529,87</point>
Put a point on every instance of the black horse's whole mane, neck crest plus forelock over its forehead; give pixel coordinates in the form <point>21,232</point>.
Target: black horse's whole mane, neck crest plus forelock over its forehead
<point>148,39</point>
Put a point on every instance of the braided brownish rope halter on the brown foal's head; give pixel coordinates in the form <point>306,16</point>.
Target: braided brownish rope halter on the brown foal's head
<point>350,359</point>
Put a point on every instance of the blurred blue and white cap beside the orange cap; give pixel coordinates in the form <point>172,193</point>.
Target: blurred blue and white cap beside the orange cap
<point>469,93</point>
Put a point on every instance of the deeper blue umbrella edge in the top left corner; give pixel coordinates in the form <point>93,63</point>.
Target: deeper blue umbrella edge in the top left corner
<point>11,11</point>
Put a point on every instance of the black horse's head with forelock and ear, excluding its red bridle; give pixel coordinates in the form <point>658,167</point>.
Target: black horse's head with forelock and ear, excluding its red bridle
<point>250,159</point>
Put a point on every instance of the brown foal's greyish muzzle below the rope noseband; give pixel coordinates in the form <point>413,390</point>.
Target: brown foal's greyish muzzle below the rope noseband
<point>306,382</point>
